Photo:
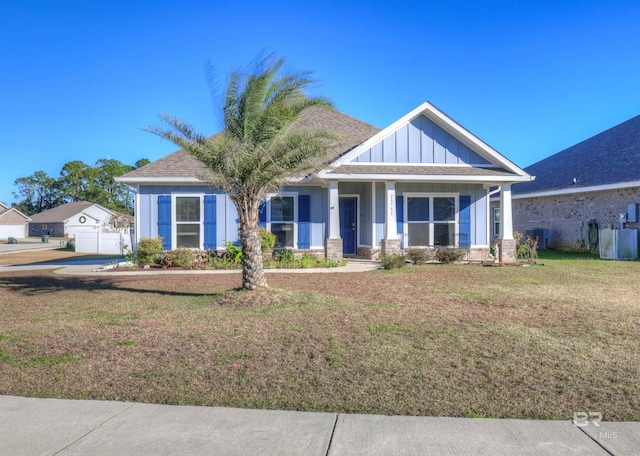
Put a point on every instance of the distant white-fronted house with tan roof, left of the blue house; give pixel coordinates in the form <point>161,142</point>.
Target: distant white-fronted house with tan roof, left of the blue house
<point>68,219</point>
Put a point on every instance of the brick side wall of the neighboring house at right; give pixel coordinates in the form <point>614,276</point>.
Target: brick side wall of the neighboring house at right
<point>566,216</point>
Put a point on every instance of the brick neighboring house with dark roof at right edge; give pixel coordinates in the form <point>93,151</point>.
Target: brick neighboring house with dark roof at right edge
<point>595,180</point>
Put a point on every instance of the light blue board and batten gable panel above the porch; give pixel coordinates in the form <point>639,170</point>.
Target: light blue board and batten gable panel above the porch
<point>420,141</point>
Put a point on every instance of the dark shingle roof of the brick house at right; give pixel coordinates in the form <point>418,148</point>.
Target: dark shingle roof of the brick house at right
<point>610,157</point>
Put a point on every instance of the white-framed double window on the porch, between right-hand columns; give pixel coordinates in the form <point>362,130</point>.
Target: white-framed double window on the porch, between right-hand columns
<point>431,220</point>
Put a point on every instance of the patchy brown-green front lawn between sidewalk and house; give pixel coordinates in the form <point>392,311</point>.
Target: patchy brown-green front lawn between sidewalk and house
<point>518,342</point>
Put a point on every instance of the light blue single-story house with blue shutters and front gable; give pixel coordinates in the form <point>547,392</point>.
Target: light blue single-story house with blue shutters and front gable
<point>423,181</point>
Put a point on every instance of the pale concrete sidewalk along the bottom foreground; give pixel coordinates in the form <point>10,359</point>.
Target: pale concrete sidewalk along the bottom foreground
<point>30,426</point>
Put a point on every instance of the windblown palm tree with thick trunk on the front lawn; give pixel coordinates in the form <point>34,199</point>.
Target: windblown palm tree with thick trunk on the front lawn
<point>259,148</point>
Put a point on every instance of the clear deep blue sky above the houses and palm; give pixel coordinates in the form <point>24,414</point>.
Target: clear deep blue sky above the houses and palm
<point>78,79</point>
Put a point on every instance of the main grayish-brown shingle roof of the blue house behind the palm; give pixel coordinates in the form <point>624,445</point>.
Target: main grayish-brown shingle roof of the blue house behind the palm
<point>182,164</point>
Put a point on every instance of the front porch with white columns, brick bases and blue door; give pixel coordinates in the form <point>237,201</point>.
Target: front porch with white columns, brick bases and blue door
<point>368,219</point>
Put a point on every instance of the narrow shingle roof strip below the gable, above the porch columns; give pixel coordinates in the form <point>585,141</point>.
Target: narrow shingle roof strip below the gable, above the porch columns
<point>421,170</point>
